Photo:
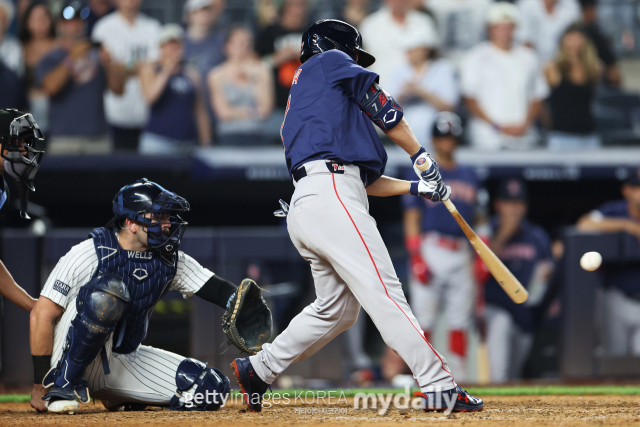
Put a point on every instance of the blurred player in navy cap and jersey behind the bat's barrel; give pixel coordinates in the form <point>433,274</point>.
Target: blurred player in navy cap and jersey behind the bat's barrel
<point>525,249</point>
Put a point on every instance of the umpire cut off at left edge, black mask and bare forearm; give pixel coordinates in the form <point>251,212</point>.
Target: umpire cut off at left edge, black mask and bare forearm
<point>19,136</point>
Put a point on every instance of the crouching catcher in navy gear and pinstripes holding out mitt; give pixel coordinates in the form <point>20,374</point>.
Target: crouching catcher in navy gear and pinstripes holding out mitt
<point>100,297</point>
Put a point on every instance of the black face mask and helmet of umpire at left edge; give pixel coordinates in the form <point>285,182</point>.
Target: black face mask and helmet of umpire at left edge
<point>19,134</point>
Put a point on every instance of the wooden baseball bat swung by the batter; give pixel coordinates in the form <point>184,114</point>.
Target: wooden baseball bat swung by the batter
<point>498,270</point>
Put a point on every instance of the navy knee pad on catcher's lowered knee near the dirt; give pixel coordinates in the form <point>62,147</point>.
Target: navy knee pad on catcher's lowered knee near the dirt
<point>199,388</point>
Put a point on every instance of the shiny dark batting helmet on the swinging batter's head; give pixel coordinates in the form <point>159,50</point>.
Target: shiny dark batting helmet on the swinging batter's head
<point>328,34</point>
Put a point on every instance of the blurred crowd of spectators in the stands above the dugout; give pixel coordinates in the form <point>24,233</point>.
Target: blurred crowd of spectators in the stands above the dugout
<point>100,76</point>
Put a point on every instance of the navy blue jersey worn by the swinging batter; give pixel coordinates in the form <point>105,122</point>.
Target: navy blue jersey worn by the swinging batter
<point>323,119</point>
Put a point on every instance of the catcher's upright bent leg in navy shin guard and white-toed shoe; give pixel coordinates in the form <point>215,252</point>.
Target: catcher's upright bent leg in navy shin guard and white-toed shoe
<point>100,304</point>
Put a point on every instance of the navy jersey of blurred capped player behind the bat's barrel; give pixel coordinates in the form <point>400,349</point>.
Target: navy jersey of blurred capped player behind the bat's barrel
<point>526,248</point>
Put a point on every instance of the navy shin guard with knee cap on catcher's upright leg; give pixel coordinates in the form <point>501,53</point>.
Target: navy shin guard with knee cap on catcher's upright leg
<point>100,304</point>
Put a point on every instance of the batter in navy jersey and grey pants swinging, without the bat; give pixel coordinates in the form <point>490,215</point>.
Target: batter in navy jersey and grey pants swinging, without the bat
<point>336,159</point>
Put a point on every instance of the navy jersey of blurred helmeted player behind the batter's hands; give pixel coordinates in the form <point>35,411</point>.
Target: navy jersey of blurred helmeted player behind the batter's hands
<point>435,216</point>
